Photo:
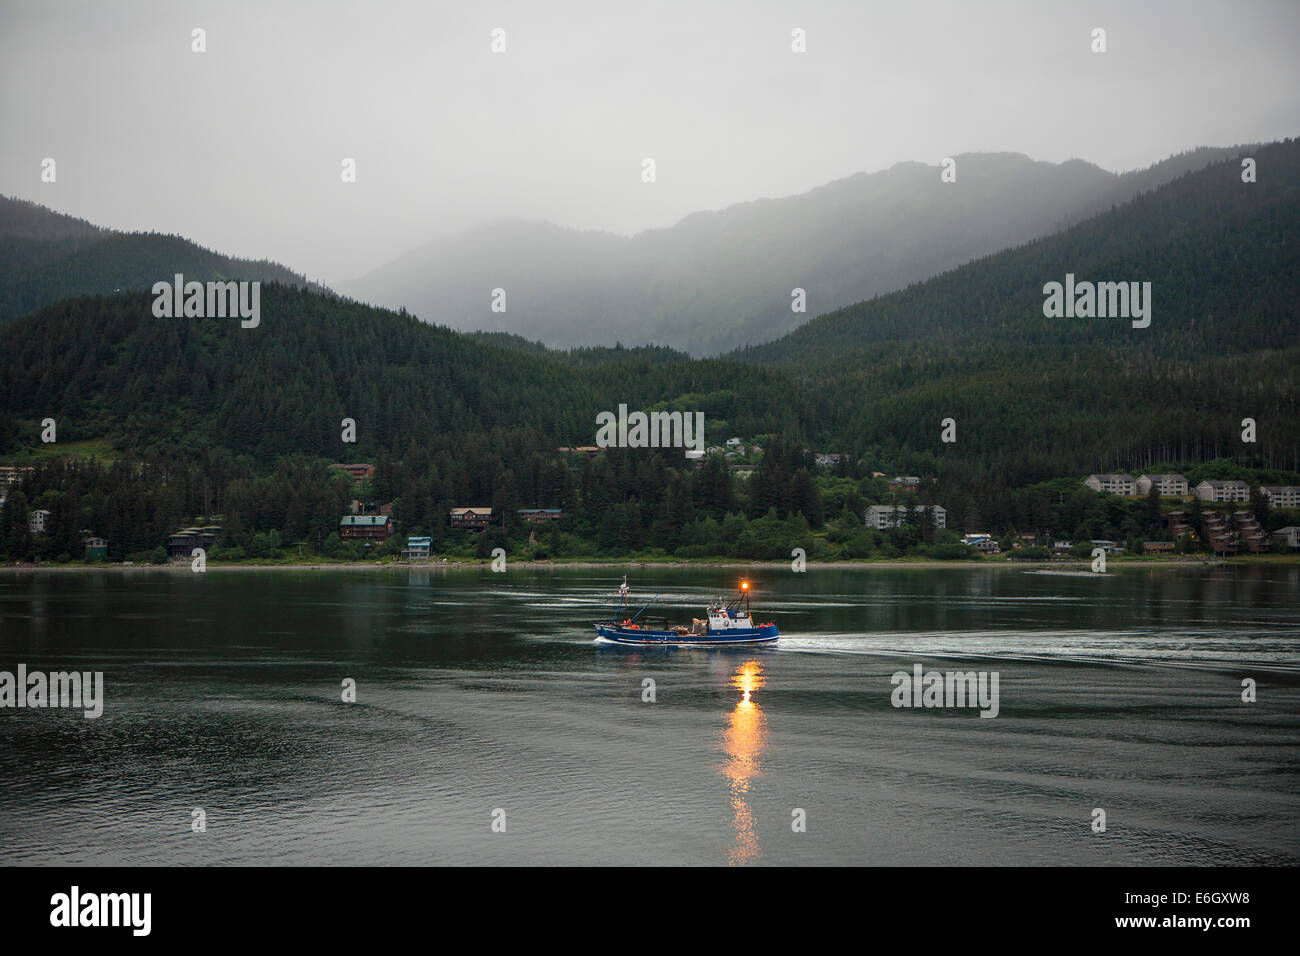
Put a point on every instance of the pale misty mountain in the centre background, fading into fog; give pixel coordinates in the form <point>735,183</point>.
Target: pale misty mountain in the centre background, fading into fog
<point>721,280</point>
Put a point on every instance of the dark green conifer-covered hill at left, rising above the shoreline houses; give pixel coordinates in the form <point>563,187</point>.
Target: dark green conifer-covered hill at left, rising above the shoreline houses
<point>107,367</point>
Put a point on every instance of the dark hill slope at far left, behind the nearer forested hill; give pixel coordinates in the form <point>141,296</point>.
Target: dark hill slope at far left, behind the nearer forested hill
<point>46,257</point>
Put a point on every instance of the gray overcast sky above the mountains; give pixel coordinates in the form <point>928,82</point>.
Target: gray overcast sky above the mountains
<point>240,148</point>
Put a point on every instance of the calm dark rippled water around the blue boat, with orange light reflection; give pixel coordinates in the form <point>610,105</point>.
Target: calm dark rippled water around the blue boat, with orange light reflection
<point>482,693</point>
